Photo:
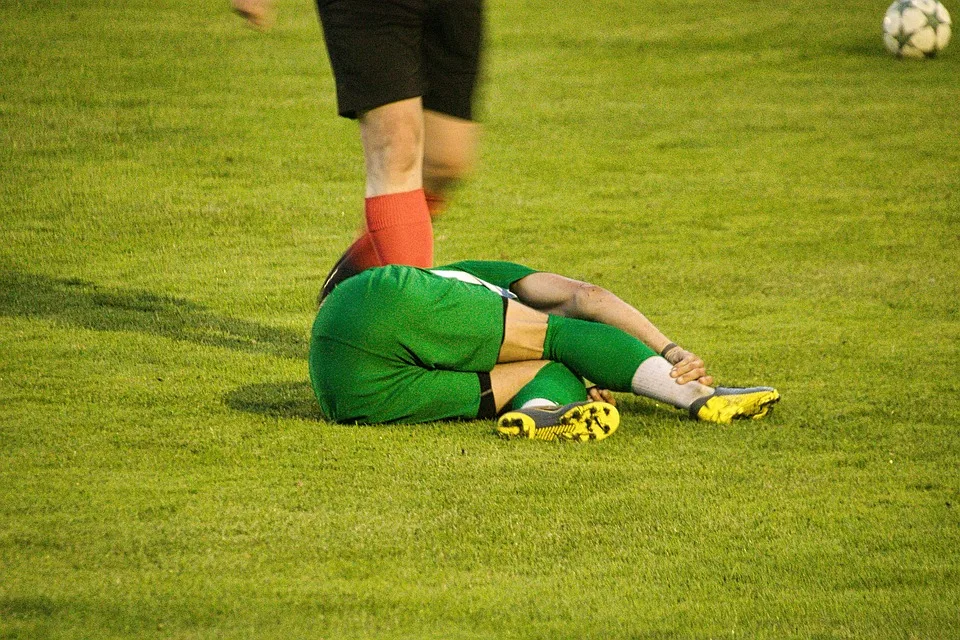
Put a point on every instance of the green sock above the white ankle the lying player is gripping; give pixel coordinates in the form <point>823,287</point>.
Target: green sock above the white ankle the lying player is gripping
<point>604,355</point>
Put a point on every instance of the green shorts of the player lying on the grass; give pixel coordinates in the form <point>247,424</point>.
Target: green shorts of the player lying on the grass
<point>400,344</point>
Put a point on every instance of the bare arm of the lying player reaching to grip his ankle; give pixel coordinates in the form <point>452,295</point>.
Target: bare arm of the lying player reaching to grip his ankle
<point>558,295</point>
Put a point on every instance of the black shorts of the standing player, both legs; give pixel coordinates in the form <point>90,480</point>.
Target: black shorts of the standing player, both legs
<point>382,51</point>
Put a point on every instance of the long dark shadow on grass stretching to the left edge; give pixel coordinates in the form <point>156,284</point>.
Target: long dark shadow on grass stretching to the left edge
<point>90,306</point>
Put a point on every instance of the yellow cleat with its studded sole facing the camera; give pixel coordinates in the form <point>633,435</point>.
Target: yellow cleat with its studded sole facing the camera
<point>576,422</point>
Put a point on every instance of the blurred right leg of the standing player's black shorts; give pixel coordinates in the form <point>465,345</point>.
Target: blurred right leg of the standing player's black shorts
<point>452,49</point>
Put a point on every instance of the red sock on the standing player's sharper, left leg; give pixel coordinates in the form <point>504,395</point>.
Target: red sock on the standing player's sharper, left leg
<point>399,228</point>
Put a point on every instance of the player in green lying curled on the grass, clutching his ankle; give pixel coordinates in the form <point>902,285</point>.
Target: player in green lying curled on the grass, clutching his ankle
<point>480,339</point>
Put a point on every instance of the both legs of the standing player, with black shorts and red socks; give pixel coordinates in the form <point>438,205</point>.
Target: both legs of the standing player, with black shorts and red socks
<point>442,64</point>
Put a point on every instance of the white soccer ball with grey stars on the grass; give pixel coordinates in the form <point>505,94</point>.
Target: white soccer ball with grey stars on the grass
<point>916,28</point>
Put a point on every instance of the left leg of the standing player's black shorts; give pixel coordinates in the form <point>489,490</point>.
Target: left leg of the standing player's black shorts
<point>375,49</point>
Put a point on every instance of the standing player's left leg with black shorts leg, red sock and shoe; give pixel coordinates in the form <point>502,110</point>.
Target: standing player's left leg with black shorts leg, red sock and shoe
<point>375,49</point>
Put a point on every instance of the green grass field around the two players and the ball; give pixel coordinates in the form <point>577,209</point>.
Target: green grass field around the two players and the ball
<point>761,179</point>
